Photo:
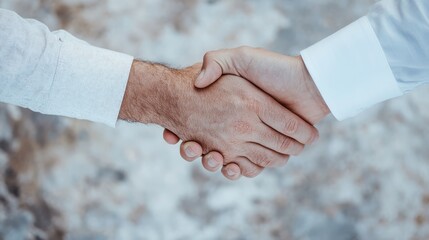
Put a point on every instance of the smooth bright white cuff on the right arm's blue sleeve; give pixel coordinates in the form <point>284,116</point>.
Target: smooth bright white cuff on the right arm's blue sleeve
<point>350,70</point>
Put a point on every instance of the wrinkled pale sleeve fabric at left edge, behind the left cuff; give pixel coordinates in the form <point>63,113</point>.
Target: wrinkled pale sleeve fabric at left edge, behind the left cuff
<point>29,54</point>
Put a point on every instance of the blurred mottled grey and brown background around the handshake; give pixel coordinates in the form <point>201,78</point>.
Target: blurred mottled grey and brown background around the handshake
<point>367,177</point>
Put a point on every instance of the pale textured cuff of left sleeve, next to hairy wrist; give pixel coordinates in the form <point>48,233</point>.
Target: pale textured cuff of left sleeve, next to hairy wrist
<point>89,82</point>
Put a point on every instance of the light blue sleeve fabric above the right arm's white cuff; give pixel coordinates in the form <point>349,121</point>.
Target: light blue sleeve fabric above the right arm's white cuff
<point>402,28</point>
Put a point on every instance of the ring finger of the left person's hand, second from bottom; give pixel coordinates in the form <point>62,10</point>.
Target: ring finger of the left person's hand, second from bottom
<point>264,157</point>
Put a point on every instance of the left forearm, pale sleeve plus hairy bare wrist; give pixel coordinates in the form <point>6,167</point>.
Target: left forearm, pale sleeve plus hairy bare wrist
<point>56,73</point>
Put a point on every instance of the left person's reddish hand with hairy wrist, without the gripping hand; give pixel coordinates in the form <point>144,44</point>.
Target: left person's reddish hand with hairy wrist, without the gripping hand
<point>232,117</point>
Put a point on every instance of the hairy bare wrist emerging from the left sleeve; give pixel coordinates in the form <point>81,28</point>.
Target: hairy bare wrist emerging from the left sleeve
<point>155,94</point>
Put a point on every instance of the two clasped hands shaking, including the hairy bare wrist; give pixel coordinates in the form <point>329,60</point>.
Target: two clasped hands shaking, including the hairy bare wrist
<point>243,109</point>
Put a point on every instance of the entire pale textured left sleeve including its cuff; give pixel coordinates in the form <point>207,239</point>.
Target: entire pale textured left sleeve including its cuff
<point>56,73</point>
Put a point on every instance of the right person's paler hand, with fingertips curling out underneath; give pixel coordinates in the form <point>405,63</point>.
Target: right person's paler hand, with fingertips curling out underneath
<point>285,78</point>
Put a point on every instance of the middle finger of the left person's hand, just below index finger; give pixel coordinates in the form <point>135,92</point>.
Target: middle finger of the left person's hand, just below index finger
<point>278,142</point>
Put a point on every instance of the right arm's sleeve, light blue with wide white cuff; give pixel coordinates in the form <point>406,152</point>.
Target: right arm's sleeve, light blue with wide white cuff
<point>378,57</point>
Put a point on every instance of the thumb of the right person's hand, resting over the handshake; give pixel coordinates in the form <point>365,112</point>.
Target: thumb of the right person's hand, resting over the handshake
<point>215,64</point>
